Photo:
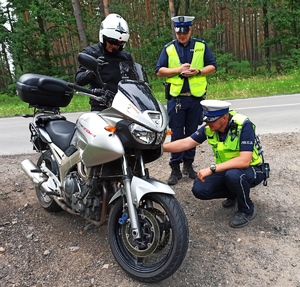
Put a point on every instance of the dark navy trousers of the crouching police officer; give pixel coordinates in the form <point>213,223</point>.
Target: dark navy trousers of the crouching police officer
<point>233,183</point>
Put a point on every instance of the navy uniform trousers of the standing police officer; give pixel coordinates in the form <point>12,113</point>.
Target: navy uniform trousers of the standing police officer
<point>185,113</point>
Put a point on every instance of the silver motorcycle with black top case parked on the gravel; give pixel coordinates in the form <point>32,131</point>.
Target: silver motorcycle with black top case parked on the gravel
<point>96,168</point>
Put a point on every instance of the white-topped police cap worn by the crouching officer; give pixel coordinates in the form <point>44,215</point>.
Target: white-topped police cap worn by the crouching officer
<point>214,109</point>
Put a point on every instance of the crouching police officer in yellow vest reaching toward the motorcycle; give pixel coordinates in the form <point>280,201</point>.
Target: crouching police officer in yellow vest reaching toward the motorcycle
<point>238,159</point>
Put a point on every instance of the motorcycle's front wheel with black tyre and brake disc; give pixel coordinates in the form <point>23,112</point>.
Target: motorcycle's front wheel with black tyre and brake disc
<point>164,238</point>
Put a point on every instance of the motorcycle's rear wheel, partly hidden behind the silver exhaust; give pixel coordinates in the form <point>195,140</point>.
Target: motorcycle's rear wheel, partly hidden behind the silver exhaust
<point>45,200</point>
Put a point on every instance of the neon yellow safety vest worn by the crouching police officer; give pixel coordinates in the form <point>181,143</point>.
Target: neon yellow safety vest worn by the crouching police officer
<point>230,148</point>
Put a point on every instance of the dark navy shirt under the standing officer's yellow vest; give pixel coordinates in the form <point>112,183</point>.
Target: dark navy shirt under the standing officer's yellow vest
<point>185,54</point>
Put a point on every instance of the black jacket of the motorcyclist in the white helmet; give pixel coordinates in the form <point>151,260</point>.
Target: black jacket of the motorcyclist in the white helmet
<point>110,74</point>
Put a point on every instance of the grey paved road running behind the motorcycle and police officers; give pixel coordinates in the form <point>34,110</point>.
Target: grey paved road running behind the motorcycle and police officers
<point>274,114</point>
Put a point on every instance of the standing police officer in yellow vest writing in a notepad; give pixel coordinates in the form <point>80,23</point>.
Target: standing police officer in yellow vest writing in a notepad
<point>184,63</point>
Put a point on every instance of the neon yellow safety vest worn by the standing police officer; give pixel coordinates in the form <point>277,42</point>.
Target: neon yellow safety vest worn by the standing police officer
<point>197,84</point>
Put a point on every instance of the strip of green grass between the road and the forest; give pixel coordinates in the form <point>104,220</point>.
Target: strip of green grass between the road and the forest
<point>225,90</point>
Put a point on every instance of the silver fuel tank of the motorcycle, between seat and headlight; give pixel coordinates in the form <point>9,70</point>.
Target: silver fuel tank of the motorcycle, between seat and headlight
<point>96,145</point>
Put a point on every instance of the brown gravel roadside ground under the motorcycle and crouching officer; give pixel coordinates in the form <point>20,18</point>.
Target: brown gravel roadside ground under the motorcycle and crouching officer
<point>38,248</point>
